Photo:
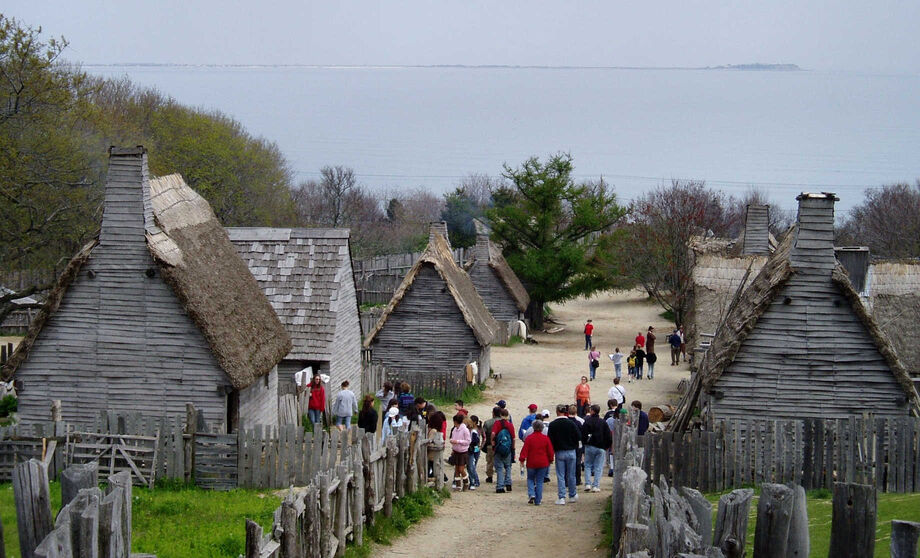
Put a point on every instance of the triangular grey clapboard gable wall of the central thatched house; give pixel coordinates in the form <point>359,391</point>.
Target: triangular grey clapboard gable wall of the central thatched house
<point>426,331</point>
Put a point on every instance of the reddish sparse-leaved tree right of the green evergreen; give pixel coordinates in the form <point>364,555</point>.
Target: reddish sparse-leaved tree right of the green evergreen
<point>654,252</point>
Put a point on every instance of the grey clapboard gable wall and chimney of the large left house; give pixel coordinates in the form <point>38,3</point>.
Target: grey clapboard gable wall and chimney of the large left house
<point>121,340</point>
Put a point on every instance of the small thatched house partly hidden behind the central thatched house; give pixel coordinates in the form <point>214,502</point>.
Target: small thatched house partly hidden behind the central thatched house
<point>501,290</point>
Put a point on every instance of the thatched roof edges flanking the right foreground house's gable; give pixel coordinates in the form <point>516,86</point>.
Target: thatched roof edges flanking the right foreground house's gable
<point>743,317</point>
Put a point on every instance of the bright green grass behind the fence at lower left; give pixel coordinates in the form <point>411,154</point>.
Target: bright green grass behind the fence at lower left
<point>173,521</point>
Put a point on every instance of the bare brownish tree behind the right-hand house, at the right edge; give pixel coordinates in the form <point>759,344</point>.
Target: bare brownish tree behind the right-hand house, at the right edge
<point>887,221</point>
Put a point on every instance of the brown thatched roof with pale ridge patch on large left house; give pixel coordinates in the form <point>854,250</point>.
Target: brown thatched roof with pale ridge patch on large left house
<point>222,297</point>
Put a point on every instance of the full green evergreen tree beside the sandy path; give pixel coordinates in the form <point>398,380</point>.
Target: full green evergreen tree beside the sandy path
<point>550,227</point>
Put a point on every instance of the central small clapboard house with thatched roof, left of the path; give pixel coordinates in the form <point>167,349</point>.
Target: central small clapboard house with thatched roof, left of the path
<point>436,321</point>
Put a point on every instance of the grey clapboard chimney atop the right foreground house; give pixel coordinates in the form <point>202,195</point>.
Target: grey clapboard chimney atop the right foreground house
<point>813,251</point>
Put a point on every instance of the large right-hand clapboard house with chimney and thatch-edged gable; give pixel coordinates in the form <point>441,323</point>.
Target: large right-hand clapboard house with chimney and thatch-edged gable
<point>798,342</point>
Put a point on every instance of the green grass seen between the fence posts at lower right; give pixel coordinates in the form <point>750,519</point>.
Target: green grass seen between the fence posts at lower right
<point>890,506</point>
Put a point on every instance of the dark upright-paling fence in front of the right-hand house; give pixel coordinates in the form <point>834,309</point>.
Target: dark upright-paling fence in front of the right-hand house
<point>814,453</point>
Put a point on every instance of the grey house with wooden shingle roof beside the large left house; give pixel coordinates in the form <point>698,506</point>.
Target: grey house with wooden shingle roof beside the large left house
<point>306,274</point>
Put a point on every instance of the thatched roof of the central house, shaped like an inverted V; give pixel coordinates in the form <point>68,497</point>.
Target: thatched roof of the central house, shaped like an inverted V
<point>474,311</point>
